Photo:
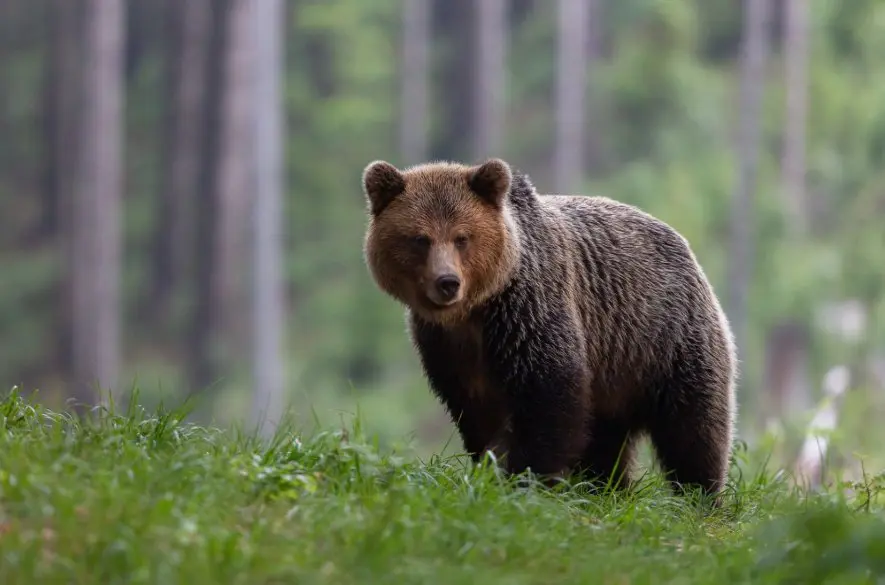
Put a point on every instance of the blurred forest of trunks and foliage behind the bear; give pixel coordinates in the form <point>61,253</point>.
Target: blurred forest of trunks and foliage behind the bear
<point>180,203</point>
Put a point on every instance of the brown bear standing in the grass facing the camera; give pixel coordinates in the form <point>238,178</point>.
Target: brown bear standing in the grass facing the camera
<point>555,329</point>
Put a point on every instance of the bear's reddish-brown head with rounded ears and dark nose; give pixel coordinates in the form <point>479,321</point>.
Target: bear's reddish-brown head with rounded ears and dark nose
<point>441,238</point>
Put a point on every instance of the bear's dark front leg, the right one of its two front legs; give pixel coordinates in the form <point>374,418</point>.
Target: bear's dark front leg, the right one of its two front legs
<point>548,421</point>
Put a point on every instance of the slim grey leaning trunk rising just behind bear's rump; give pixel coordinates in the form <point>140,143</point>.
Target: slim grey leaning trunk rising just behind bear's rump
<point>754,49</point>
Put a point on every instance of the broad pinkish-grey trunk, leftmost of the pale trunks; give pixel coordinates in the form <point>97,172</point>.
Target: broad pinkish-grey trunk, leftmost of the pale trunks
<point>96,240</point>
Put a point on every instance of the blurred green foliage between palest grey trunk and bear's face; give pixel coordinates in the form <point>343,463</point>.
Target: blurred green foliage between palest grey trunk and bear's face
<point>340,119</point>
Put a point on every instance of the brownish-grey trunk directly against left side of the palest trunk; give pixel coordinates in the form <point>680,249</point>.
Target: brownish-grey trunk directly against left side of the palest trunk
<point>221,314</point>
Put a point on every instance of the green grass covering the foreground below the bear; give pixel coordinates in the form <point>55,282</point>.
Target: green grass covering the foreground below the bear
<point>147,498</point>
